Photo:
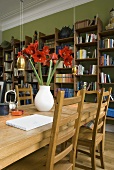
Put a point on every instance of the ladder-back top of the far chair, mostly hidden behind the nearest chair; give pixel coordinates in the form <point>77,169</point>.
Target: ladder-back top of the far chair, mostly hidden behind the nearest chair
<point>92,92</point>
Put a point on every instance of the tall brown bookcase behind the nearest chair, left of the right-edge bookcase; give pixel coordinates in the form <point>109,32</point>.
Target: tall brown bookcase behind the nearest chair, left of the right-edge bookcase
<point>86,56</point>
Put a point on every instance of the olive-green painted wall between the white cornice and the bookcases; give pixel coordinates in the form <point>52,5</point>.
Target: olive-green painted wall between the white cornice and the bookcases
<point>48,24</point>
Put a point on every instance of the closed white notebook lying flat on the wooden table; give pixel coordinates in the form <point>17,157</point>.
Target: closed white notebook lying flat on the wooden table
<point>30,122</point>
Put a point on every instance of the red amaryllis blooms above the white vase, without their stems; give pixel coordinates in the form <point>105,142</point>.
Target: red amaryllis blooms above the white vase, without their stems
<point>44,57</point>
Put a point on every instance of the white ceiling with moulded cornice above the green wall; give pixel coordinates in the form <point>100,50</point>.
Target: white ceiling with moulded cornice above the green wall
<point>32,9</point>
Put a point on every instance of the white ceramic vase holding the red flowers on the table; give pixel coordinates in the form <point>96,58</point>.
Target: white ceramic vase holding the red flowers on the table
<point>44,100</point>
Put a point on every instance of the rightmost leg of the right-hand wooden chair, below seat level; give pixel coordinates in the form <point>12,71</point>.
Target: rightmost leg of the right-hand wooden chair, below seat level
<point>101,153</point>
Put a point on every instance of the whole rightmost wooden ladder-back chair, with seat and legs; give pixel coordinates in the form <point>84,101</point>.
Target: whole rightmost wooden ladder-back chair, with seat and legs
<point>90,139</point>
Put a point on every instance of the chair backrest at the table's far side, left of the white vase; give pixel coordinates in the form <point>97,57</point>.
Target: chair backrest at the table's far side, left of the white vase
<point>24,94</point>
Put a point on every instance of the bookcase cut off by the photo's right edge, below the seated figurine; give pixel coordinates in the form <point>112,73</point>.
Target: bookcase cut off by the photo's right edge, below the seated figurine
<point>106,63</point>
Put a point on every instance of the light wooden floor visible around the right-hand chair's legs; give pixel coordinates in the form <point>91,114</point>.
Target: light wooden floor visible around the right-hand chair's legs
<point>108,154</point>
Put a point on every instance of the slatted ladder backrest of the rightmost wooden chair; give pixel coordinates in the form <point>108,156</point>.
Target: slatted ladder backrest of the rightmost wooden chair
<point>99,125</point>
